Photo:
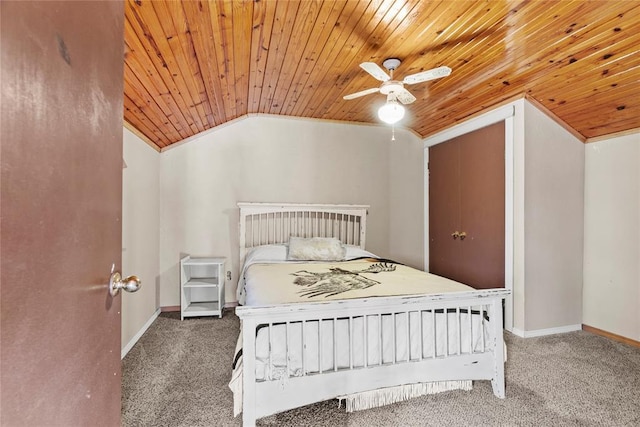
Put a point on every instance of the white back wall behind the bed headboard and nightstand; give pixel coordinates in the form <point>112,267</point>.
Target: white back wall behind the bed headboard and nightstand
<point>276,159</point>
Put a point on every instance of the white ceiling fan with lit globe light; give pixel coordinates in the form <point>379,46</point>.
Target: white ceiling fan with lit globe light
<point>392,112</point>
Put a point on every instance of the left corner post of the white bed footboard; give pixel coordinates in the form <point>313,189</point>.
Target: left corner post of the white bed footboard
<point>248,372</point>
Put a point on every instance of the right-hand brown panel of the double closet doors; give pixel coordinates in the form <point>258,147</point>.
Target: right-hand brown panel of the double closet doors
<point>482,207</point>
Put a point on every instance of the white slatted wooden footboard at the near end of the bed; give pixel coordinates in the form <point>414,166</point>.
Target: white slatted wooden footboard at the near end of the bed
<point>338,348</point>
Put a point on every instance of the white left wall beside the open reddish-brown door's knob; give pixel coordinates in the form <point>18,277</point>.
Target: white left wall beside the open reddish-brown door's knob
<point>140,235</point>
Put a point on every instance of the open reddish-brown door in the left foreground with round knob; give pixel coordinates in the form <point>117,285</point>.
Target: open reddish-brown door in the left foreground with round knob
<point>62,100</point>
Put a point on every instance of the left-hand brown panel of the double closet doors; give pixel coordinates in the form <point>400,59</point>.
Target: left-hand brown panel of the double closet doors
<point>444,209</point>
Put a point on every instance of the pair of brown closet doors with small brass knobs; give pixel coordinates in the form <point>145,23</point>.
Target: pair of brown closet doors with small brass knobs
<point>466,195</point>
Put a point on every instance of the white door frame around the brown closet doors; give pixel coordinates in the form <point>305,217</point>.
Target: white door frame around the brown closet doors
<point>506,114</point>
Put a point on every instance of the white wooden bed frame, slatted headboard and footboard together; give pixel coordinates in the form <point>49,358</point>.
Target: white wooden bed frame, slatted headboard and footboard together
<point>262,223</point>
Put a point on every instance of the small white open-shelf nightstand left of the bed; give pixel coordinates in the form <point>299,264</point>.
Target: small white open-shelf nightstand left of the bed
<point>201,286</point>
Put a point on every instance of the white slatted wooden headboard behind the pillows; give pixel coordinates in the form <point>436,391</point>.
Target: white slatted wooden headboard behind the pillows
<point>273,223</point>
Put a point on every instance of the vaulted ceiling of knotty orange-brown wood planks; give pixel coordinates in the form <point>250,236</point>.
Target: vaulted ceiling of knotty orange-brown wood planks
<point>193,65</point>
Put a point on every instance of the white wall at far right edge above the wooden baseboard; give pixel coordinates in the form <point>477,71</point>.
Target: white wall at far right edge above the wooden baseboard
<point>612,236</point>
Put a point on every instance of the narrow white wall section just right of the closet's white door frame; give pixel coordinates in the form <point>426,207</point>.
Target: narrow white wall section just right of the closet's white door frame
<point>554,211</point>
